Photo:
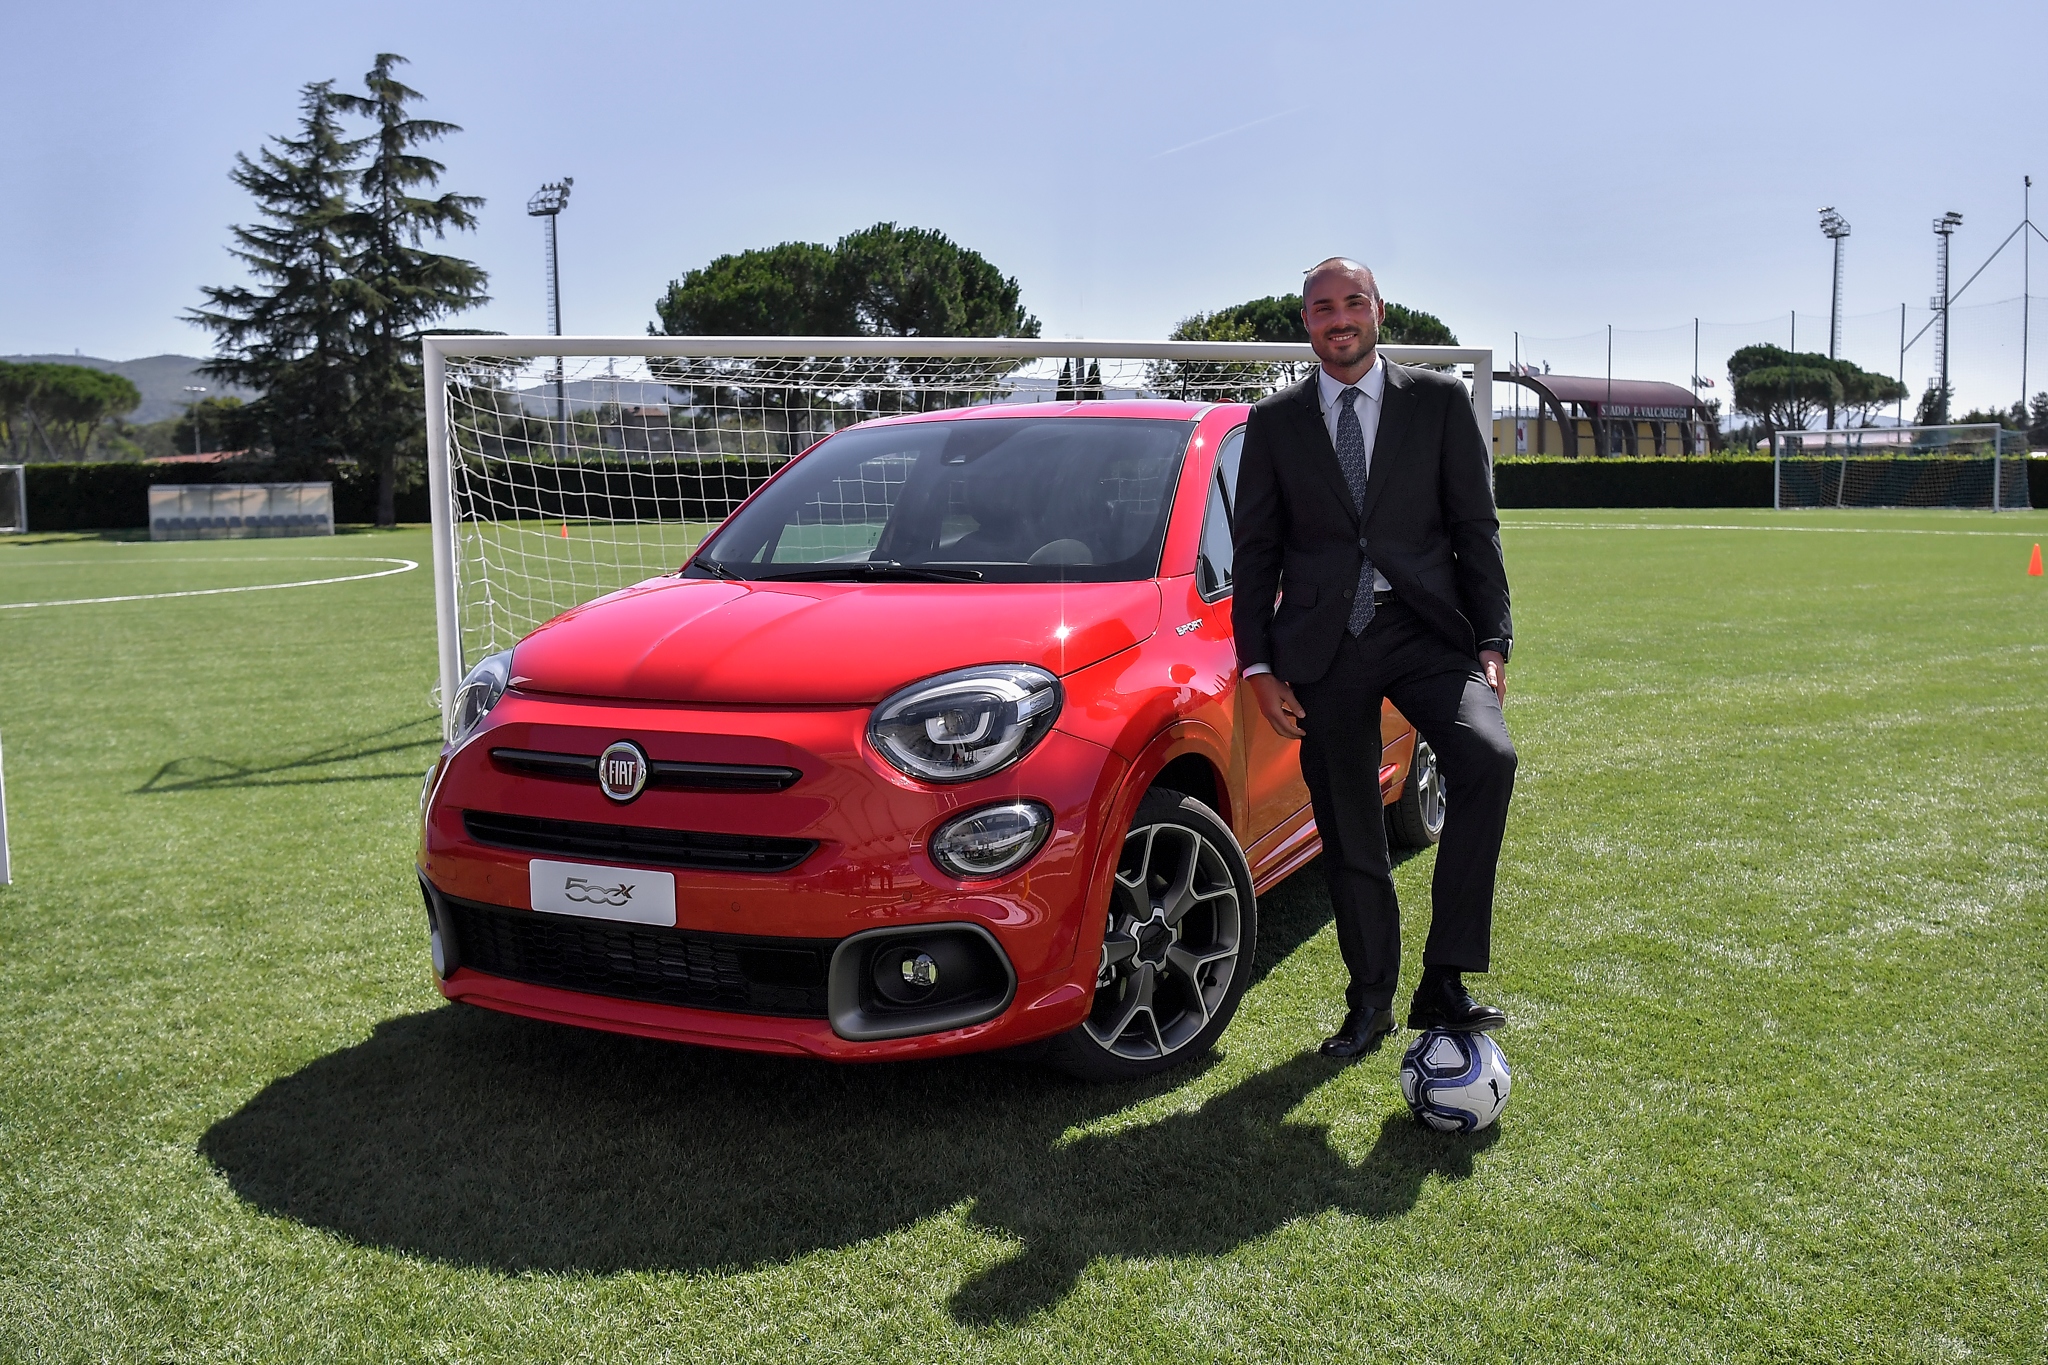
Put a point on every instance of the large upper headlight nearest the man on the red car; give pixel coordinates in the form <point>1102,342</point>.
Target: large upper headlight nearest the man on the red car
<point>968,723</point>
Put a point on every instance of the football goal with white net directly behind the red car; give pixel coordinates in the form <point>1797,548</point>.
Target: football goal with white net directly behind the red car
<point>568,468</point>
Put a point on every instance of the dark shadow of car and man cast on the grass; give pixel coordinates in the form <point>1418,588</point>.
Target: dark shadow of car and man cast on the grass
<point>523,1147</point>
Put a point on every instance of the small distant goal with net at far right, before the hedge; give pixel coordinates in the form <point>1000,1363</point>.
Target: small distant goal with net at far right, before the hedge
<point>1902,468</point>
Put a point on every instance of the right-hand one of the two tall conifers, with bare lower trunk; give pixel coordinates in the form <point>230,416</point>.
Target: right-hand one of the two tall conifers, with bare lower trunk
<point>400,288</point>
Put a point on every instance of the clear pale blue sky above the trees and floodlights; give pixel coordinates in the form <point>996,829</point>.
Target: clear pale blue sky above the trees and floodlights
<point>1512,169</point>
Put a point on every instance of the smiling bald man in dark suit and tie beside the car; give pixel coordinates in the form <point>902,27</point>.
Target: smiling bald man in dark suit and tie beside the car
<point>1365,504</point>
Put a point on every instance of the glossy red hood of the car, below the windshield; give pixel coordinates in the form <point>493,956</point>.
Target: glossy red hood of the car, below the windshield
<point>822,644</point>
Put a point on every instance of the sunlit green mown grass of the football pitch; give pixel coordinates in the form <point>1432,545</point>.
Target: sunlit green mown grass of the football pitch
<point>1770,938</point>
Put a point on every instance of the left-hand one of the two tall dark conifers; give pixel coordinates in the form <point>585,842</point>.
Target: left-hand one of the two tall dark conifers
<point>292,337</point>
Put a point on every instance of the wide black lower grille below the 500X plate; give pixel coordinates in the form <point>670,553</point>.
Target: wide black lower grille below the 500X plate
<point>640,963</point>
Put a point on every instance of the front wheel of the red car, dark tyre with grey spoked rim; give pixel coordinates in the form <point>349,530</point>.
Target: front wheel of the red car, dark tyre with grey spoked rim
<point>1177,953</point>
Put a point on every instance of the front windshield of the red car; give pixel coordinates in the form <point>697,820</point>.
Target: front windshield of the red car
<point>1009,500</point>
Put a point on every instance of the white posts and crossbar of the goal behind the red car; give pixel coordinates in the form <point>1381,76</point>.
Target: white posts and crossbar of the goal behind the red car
<point>437,351</point>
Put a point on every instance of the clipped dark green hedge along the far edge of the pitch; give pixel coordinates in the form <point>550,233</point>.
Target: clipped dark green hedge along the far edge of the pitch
<point>118,496</point>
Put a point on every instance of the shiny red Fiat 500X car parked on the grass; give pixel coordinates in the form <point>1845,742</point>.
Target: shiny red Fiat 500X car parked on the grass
<point>935,746</point>
